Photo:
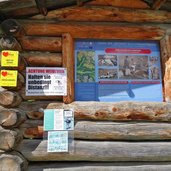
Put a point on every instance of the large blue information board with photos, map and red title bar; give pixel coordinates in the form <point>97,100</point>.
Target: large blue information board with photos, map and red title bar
<point>117,71</point>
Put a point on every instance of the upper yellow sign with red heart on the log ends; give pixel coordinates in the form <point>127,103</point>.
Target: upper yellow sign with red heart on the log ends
<point>9,58</point>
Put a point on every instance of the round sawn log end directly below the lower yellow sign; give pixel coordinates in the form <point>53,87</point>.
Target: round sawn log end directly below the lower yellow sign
<point>10,99</point>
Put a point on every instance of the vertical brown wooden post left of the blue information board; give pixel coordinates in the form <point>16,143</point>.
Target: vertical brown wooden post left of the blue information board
<point>68,62</point>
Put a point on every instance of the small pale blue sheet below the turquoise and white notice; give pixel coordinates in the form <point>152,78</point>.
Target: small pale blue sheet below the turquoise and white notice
<point>57,141</point>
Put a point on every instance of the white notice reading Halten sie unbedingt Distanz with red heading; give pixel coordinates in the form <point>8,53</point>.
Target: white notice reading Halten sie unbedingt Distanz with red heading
<point>46,81</point>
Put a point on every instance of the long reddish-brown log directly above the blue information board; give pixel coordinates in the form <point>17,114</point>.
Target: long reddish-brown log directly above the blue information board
<point>97,31</point>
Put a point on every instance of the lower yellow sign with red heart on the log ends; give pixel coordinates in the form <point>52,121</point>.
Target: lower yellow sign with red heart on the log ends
<point>8,78</point>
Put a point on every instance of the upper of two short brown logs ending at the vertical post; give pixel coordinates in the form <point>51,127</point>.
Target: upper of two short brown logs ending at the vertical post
<point>52,44</point>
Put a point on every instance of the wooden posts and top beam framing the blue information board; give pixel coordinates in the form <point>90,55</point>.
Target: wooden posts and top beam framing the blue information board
<point>111,32</point>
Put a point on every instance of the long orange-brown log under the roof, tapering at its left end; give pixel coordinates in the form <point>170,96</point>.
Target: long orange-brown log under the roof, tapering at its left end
<point>109,14</point>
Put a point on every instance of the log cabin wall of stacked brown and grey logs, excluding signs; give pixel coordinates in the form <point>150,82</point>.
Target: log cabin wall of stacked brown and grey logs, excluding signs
<point>108,136</point>
